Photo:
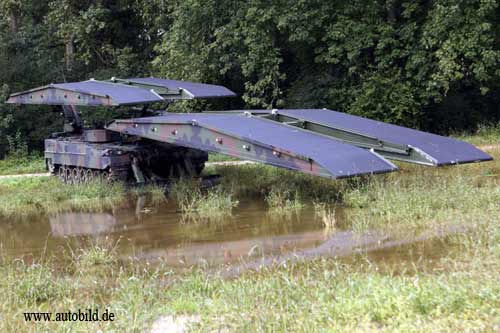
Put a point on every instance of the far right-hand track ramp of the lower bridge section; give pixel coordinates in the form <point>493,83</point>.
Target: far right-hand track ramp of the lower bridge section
<point>390,141</point>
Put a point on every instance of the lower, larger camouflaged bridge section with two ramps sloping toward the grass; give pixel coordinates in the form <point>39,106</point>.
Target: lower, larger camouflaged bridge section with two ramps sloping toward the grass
<point>320,142</point>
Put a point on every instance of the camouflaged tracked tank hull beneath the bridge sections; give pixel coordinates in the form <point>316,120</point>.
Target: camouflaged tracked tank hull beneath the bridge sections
<point>77,157</point>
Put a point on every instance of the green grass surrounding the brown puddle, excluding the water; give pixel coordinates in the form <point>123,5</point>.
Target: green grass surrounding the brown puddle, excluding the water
<point>454,291</point>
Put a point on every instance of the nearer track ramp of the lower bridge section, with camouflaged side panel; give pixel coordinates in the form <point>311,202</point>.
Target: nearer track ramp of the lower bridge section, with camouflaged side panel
<point>260,140</point>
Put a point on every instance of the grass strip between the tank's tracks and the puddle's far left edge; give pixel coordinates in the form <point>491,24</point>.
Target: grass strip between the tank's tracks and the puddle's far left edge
<point>20,197</point>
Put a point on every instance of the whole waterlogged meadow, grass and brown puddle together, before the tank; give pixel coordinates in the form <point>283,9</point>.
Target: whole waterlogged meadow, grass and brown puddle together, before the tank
<point>267,250</point>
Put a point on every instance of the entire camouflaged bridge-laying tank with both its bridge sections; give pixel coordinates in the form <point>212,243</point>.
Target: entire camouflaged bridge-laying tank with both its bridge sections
<point>162,145</point>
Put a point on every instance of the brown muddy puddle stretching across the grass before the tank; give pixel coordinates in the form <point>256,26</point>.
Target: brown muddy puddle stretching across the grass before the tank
<point>252,236</point>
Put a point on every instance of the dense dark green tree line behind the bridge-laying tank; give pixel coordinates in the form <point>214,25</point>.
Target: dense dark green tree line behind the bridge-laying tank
<point>430,64</point>
